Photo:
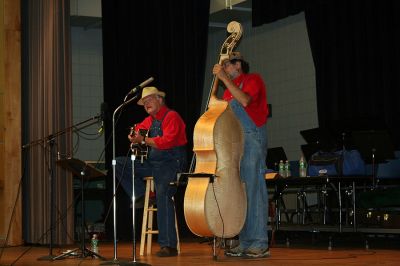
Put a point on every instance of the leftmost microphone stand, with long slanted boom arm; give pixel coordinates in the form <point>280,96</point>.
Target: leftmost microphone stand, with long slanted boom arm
<point>51,140</point>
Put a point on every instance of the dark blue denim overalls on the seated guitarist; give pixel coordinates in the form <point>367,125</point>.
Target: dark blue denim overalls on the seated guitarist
<point>163,165</point>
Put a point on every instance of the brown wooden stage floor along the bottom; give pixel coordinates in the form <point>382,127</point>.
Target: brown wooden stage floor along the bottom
<point>196,253</point>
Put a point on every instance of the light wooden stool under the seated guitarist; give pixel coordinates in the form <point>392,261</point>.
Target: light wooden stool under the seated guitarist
<point>147,223</point>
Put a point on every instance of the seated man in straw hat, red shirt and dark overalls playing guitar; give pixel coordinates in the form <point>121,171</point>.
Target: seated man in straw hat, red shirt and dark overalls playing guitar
<point>166,139</point>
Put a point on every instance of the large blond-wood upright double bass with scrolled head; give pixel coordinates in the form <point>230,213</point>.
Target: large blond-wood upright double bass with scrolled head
<point>217,206</point>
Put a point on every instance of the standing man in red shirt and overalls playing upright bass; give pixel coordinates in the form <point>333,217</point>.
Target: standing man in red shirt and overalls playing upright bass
<point>246,94</point>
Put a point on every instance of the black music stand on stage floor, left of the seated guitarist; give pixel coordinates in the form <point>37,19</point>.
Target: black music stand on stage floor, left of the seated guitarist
<point>85,171</point>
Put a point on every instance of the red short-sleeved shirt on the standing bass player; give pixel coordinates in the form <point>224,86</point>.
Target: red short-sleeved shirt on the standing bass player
<point>254,86</point>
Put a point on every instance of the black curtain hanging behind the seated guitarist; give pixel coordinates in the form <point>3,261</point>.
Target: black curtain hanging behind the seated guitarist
<point>166,40</point>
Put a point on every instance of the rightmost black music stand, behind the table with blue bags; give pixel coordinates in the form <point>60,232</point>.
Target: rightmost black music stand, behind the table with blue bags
<point>375,146</point>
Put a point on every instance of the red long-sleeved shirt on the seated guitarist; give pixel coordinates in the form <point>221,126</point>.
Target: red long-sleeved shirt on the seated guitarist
<point>173,127</point>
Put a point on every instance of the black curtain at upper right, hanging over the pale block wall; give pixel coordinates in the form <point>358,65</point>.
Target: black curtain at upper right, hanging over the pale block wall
<point>355,50</point>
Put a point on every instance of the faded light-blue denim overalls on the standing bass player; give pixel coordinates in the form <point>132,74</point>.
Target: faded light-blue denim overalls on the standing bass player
<point>254,233</point>
